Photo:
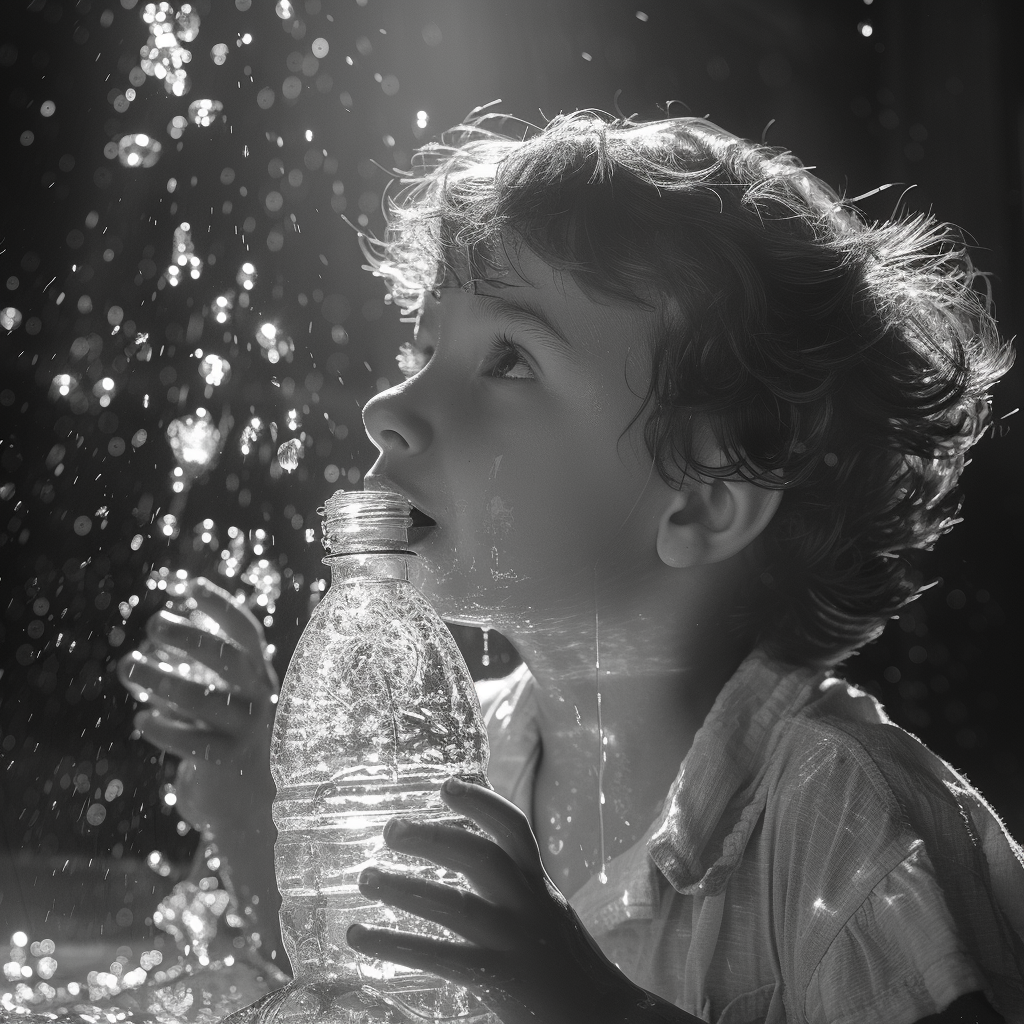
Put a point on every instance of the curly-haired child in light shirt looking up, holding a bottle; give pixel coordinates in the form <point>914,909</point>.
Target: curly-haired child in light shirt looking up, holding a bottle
<point>677,414</point>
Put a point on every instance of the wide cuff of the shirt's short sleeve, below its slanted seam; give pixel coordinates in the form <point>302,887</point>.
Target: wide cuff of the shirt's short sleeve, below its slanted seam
<point>899,959</point>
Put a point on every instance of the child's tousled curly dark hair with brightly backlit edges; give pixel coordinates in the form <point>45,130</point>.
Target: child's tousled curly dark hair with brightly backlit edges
<point>846,363</point>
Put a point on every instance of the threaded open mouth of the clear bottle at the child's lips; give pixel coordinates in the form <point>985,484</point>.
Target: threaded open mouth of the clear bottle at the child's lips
<point>363,522</point>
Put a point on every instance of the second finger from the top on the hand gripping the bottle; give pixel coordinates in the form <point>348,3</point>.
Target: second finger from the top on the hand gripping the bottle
<point>488,868</point>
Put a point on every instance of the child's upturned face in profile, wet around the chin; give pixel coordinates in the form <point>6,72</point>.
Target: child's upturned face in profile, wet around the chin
<point>510,439</point>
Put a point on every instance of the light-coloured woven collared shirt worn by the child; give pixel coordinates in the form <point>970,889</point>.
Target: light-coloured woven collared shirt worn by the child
<point>813,863</point>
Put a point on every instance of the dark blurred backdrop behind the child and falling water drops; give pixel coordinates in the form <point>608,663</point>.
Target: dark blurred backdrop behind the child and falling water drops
<point>872,95</point>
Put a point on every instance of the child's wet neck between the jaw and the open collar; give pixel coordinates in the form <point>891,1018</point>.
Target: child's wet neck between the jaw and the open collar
<point>622,694</point>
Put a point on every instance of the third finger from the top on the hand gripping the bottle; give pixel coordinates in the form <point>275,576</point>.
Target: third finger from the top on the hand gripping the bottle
<point>463,913</point>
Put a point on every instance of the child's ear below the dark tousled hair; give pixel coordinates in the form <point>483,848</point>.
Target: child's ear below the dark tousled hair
<point>710,523</point>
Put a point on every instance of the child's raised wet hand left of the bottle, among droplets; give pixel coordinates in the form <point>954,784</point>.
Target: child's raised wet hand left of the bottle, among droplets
<point>210,703</point>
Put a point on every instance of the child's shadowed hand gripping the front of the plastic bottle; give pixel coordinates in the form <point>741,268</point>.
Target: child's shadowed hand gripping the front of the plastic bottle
<point>530,959</point>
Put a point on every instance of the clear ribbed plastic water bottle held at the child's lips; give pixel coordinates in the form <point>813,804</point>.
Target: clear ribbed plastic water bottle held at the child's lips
<point>377,709</point>
